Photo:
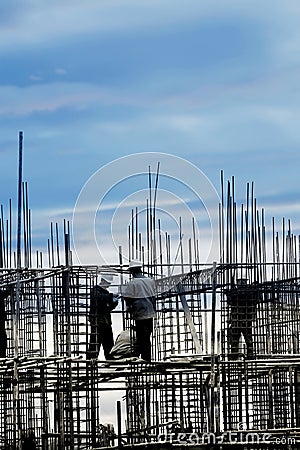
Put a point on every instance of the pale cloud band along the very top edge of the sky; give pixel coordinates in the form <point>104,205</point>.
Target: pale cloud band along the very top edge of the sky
<point>51,21</point>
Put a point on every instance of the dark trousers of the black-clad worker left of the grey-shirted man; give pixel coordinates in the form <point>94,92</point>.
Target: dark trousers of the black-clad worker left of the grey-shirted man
<point>101,334</point>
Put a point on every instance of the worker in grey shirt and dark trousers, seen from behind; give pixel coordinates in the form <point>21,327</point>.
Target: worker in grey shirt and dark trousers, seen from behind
<point>139,295</point>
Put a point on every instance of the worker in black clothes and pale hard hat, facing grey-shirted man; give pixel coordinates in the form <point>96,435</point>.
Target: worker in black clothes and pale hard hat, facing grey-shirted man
<point>102,302</point>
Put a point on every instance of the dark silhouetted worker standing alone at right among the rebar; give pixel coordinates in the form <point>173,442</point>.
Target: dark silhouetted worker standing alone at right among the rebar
<point>242,299</point>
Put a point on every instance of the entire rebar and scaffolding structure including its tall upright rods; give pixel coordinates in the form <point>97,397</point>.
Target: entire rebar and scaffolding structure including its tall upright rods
<point>225,367</point>
